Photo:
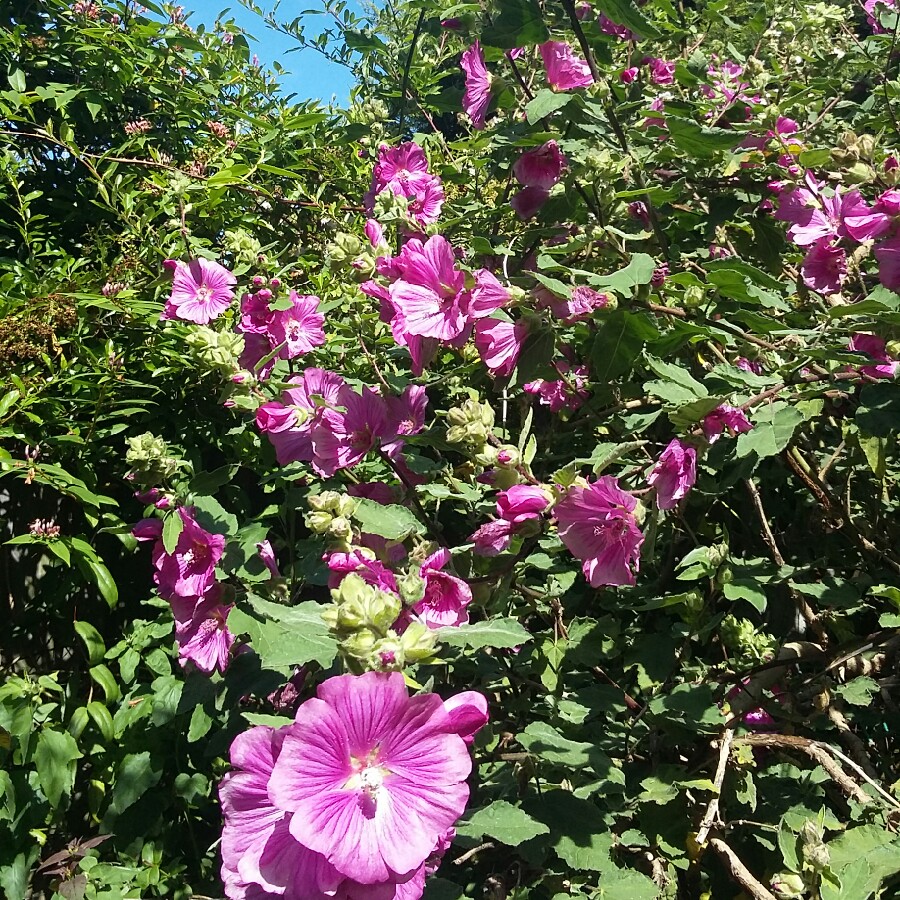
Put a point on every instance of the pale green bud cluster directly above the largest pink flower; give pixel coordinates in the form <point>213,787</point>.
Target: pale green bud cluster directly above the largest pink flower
<point>363,619</point>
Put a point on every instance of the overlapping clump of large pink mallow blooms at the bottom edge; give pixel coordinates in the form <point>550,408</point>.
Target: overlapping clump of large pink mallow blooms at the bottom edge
<point>354,799</point>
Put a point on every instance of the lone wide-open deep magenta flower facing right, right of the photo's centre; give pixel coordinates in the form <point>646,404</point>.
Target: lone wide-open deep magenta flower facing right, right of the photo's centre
<point>597,524</point>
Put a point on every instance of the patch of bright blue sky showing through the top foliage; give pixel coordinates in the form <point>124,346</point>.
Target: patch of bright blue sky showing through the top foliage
<point>308,74</point>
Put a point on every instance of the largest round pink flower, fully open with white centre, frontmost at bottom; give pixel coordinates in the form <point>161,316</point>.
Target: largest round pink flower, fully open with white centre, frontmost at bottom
<point>371,778</point>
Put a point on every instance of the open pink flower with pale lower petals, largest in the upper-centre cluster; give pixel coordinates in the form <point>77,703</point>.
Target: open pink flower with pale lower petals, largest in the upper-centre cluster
<point>430,296</point>
